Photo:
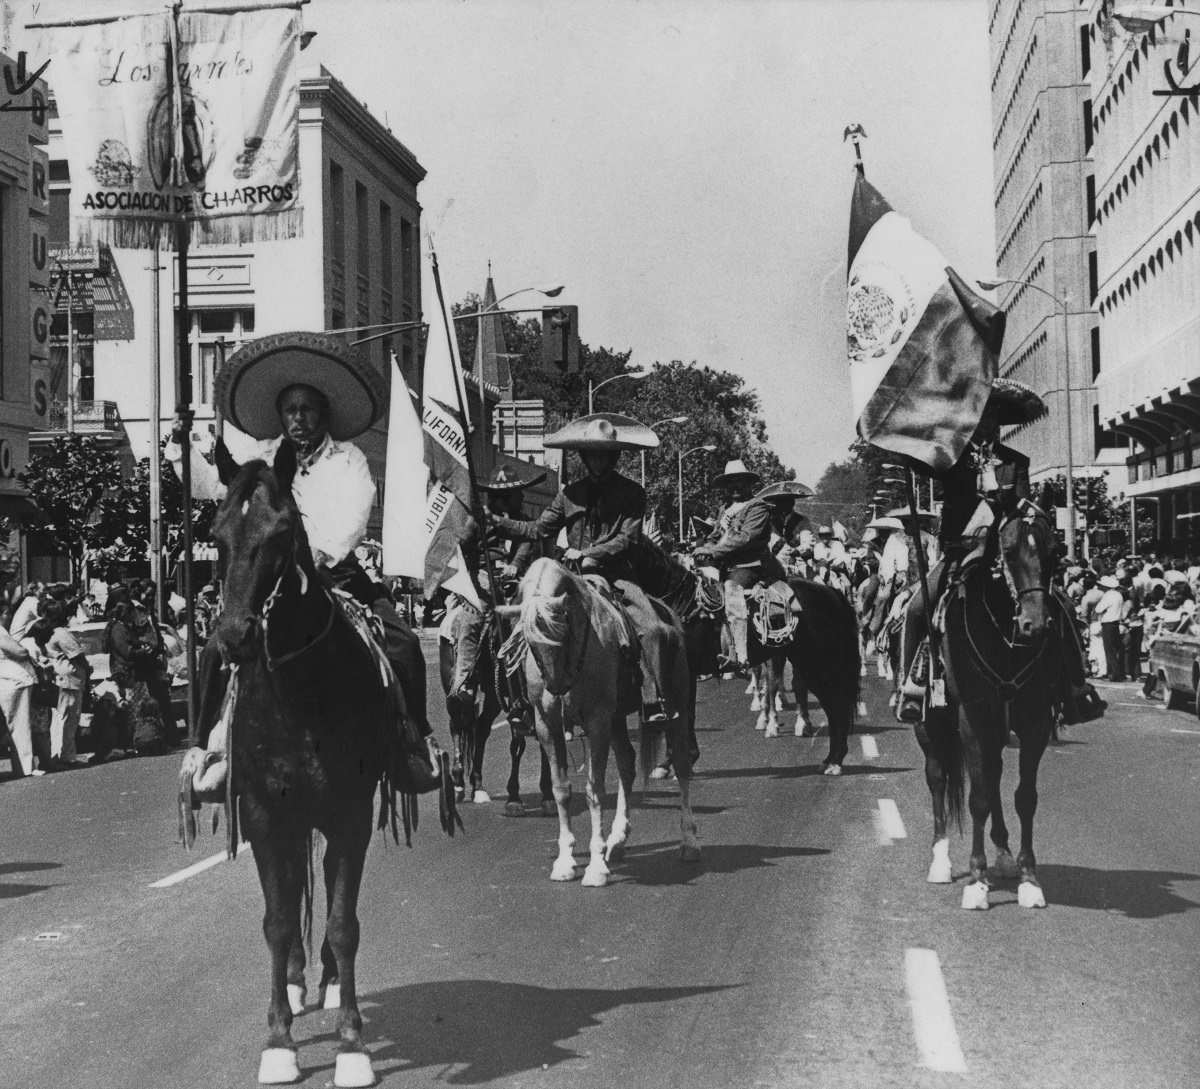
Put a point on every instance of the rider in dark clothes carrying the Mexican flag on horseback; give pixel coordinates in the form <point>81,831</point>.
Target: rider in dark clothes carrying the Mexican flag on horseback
<point>989,478</point>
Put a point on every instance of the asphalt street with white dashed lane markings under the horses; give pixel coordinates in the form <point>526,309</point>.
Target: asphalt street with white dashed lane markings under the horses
<point>806,949</point>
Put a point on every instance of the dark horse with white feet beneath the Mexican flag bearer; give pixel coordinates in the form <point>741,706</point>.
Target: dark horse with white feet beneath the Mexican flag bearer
<point>1001,678</point>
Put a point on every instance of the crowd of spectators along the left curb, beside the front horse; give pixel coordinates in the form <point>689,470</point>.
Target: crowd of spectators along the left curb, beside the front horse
<point>47,682</point>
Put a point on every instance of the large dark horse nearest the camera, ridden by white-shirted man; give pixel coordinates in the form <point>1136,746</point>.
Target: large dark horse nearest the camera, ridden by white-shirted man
<point>311,737</point>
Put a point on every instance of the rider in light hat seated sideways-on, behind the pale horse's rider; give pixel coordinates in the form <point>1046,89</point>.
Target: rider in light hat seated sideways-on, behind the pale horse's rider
<point>741,547</point>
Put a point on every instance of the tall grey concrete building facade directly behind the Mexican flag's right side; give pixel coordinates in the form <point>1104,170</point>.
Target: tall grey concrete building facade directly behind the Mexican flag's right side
<point>1045,201</point>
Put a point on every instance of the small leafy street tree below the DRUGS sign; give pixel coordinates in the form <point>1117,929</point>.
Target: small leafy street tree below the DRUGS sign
<point>69,483</point>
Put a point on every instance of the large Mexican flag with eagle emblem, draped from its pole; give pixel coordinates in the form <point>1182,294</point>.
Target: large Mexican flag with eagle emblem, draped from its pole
<point>923,347</point>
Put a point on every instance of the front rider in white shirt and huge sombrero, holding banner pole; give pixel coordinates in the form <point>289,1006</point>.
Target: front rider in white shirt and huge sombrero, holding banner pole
<point>309,395</point>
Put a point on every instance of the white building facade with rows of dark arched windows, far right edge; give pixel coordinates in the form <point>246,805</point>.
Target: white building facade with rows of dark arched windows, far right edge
<point>1148,237</point>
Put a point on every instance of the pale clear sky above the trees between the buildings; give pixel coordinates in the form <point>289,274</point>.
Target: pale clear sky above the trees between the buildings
<point>680,164</point>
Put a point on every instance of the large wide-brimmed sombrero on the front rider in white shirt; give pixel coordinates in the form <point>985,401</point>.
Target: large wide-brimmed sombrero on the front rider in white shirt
<point>250,384</point>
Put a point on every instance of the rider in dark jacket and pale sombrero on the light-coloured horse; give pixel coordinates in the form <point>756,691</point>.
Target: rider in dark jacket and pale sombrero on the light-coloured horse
<point>602,516</point>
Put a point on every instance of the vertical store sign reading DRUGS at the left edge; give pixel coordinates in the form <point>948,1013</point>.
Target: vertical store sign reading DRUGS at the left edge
<point>39,257</point>
